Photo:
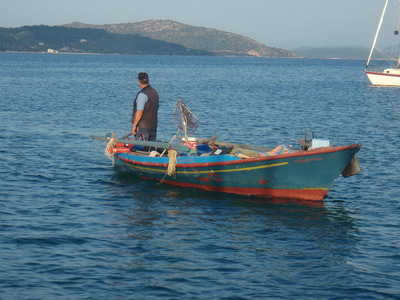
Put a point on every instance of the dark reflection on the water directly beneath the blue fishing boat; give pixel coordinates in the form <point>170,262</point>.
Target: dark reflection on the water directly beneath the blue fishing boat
<point>153,208</point>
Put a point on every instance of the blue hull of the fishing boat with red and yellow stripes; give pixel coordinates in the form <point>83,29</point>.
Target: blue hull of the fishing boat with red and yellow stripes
<point>304,175</point>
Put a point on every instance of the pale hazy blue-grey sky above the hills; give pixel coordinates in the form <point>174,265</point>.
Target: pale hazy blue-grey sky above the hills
<point>279,23</point>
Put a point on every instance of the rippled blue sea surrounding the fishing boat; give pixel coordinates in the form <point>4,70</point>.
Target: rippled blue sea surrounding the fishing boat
<point>71,228</point>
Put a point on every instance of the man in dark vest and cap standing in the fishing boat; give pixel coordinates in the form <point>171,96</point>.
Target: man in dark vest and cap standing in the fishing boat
<point>145,110</point>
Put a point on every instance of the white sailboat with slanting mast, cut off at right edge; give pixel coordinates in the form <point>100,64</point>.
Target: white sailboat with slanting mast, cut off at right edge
<point>388,76</point>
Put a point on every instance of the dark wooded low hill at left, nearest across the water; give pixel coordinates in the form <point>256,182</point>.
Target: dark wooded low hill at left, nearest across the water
<point>85,40</point>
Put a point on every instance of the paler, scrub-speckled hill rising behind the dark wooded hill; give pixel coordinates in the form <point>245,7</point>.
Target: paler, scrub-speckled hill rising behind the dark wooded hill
<point>201,38</point>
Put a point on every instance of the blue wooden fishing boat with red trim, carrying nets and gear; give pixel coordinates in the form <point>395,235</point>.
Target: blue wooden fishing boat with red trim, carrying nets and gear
<point>208,164</point>
